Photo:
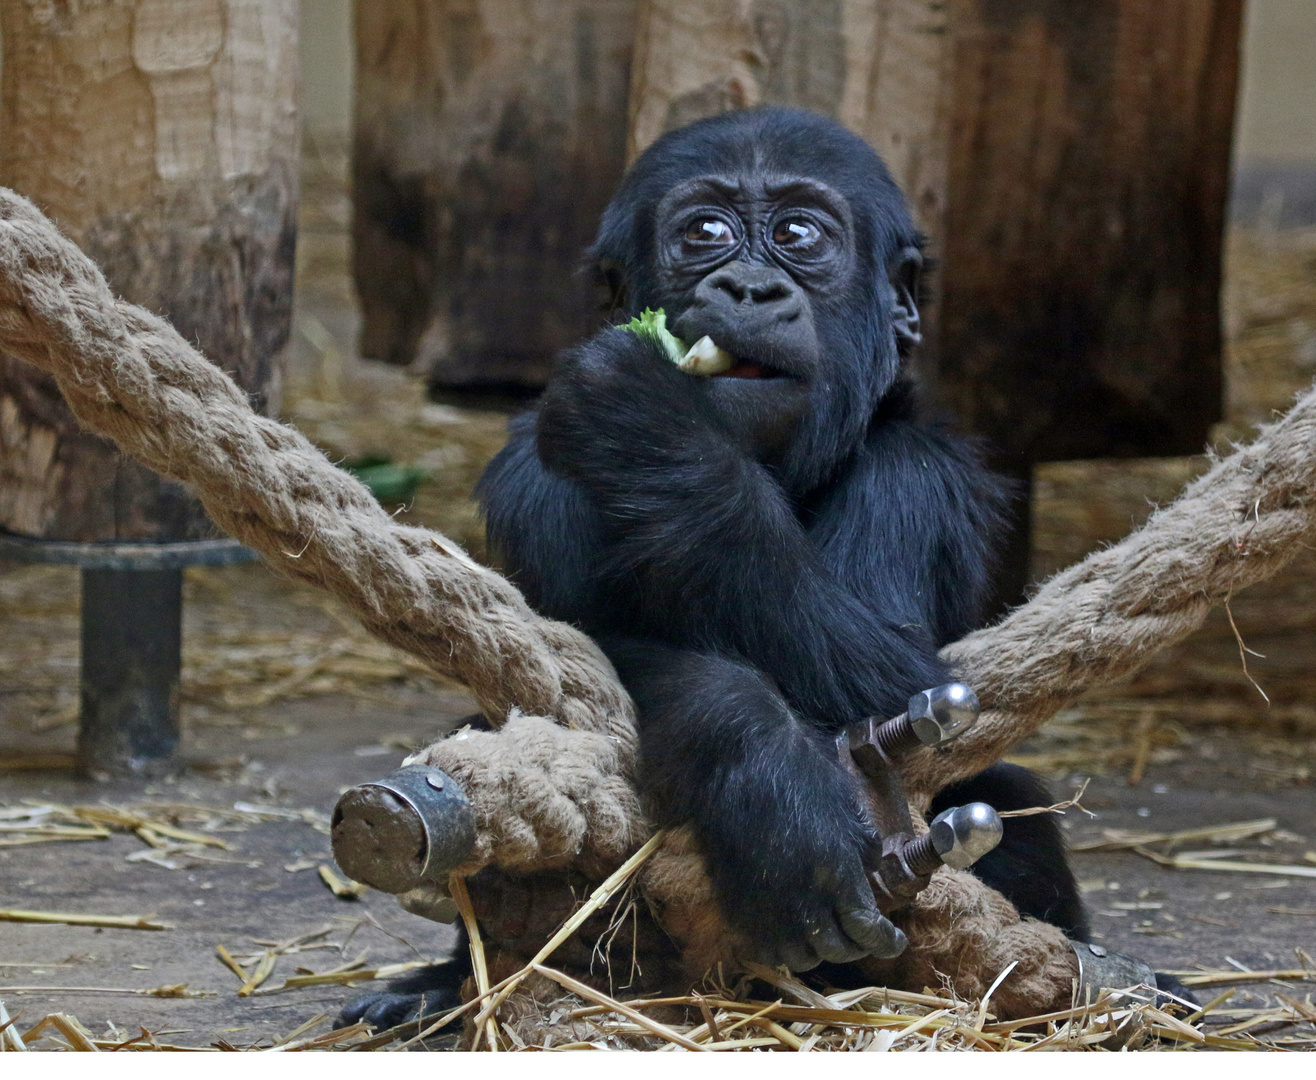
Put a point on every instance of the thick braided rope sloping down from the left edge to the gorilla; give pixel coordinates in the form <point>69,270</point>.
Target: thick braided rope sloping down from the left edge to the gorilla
<point>132,378</point>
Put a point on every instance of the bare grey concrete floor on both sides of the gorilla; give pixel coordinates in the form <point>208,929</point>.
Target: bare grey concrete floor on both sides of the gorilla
<point>1202,920</point>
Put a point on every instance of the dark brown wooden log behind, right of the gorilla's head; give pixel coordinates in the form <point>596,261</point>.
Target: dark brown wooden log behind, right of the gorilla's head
<point>1089,178</point>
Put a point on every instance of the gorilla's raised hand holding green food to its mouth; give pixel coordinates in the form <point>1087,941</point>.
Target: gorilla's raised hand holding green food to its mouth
<point>617,405</point>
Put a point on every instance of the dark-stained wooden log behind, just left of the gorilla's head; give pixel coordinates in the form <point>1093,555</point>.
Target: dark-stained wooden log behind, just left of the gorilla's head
<point>489,137</point>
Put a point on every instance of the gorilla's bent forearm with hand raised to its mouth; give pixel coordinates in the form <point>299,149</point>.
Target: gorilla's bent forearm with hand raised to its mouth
<point>710,541</point>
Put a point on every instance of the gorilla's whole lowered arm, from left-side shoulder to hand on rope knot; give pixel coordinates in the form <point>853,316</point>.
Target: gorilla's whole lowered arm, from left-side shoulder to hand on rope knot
<point>765,781</point>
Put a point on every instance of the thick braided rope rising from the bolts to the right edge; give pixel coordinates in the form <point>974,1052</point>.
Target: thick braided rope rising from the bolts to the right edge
<point>1105,618</point>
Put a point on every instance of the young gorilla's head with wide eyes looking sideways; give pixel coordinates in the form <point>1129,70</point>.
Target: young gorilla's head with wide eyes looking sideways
<point>781,236</point>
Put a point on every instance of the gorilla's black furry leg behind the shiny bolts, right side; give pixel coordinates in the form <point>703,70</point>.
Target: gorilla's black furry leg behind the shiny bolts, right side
<point>1028,868</point>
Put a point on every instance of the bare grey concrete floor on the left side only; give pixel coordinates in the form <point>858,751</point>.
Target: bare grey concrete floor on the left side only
<point>248,898</point>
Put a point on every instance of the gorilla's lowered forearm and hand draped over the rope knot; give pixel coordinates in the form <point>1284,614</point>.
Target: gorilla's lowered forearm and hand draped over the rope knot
<point>780,820</point>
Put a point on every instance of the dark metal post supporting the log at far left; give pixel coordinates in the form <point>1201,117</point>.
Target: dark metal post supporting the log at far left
<point>131,666</point>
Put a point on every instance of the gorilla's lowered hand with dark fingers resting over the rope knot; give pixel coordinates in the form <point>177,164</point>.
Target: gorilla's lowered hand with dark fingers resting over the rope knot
<point>801,910</point>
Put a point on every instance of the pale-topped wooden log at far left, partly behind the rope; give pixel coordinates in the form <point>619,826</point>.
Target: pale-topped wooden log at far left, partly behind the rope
<point>161,136</point>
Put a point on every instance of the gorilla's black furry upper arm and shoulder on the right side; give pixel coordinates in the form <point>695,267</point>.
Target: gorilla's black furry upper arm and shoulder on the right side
<point>911,527</point>
